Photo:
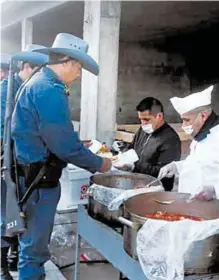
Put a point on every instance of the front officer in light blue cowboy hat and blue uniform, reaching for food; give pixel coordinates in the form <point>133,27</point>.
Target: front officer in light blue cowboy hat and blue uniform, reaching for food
<point>43,134</point>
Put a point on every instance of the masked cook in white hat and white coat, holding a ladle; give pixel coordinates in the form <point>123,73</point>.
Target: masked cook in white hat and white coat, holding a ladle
<point>199,172</point>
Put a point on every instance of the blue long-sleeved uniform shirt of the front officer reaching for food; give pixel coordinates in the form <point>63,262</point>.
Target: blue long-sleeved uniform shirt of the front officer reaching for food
<point>41,123</point>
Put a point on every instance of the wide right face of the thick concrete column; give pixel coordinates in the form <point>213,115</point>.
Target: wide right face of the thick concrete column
<point>108,77</point>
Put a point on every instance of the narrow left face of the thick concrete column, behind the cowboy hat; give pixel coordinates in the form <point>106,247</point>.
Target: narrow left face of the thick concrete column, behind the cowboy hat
<point>89,82</point>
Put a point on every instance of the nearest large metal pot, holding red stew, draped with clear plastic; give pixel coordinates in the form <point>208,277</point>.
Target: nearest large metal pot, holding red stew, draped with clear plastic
<point>202,256</point>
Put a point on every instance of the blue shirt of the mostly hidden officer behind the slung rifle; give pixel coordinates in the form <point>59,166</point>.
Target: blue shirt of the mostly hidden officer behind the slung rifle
<point>3,88</point>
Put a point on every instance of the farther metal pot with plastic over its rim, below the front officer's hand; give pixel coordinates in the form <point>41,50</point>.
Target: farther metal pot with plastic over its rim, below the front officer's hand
<point>123,181</point>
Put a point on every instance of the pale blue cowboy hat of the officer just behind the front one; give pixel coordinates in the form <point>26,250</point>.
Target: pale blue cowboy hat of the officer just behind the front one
<point>29,55</point>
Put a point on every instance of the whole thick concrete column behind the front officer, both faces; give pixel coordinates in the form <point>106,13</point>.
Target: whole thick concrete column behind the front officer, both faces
<point>98,119</point>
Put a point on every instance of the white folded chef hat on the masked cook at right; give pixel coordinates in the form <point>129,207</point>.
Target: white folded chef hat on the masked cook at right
<point>192,101</point>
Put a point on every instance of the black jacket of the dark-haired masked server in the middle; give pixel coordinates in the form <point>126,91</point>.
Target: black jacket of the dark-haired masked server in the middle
<point>156,150</point>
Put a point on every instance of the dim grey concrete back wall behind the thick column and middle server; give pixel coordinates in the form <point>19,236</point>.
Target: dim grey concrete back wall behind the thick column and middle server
<point>141,74</point>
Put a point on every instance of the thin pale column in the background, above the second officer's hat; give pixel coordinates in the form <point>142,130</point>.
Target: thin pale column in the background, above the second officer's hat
<point>26,33</point>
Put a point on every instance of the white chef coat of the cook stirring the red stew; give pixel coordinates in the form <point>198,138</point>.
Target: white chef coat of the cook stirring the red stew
<point>201,167</point>
